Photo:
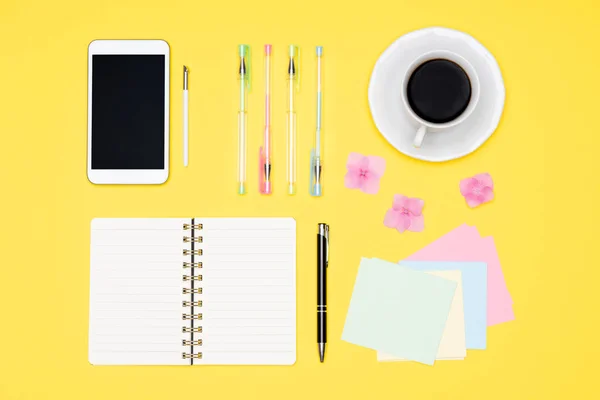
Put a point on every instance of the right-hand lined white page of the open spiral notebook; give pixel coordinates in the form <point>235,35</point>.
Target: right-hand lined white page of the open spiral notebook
<point>249,291</point>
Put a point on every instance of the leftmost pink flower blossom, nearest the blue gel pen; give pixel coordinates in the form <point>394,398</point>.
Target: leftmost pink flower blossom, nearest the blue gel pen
<point>364,172</point>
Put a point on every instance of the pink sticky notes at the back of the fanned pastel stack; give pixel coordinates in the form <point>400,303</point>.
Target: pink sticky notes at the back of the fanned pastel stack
<point>465,244</point>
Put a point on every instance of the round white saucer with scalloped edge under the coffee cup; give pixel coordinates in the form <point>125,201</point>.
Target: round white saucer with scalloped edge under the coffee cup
<point>392,119</point>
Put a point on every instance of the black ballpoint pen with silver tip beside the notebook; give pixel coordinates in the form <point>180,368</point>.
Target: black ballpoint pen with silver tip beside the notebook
<point>322,264</point>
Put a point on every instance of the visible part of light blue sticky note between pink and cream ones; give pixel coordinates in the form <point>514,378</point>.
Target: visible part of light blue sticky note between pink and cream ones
<point>474,275</point>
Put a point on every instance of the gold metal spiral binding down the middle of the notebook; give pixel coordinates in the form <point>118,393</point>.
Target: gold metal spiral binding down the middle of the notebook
<point>191,303</point>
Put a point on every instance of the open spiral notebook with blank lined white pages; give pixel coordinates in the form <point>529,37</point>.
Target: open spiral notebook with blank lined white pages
<point>192,291</point>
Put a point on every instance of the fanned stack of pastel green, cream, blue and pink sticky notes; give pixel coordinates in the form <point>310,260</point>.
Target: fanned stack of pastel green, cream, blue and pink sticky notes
<point>436,304</point>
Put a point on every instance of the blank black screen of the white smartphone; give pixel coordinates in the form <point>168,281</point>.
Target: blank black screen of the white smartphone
<point>128,111</point>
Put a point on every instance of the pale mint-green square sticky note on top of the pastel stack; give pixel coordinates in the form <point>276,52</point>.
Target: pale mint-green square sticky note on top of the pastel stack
<point>399,311</point>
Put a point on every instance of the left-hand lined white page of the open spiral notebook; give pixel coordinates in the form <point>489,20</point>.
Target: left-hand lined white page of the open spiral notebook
<point>136,291</point>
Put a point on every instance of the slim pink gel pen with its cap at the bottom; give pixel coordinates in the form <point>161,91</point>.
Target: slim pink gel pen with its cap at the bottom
<point>264,154</point>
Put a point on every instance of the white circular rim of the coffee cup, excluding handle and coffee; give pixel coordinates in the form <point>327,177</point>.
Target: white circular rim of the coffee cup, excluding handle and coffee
<point>464,64</point>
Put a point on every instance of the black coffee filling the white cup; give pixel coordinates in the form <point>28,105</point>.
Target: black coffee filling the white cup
<point>439,91</point>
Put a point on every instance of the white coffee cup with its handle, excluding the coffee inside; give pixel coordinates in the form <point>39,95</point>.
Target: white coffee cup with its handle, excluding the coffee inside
<point>425,126</point>
